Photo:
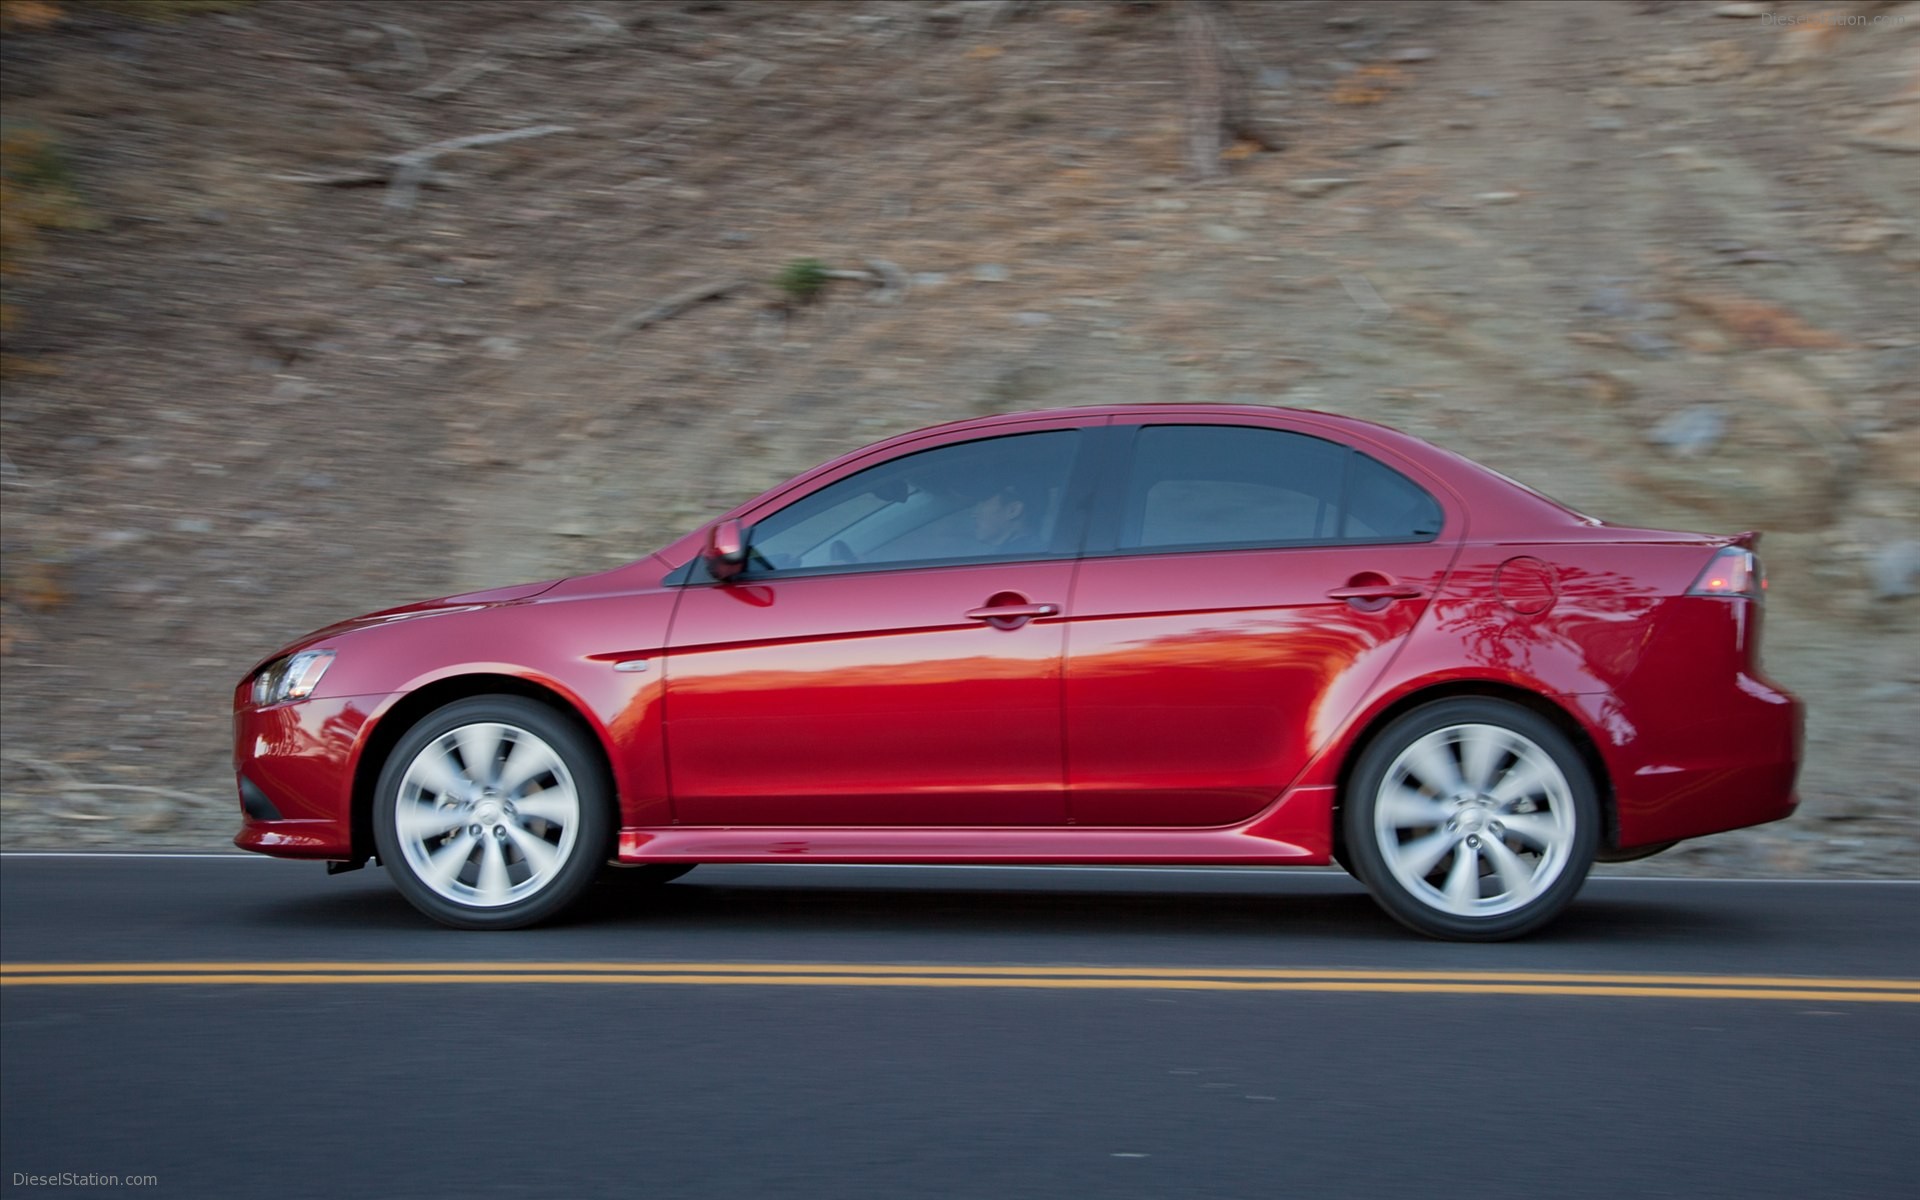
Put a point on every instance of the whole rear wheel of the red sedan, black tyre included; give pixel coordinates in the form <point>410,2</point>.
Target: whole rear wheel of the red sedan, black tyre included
<point>1472,819</point>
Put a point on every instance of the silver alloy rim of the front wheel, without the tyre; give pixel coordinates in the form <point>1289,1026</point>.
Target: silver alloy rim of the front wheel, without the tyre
<point>487,815</point>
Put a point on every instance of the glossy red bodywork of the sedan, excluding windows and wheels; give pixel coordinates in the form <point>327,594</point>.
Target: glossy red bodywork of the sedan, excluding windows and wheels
<point>1189,708</point>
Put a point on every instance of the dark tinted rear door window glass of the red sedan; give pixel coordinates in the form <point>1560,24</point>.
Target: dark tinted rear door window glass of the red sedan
<point>1218,485</point>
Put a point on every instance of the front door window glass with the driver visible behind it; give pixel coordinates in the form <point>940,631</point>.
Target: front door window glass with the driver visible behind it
<point>976,502</point>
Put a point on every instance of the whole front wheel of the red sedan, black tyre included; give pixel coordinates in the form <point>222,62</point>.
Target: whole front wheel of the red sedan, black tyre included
<point>494,813</point>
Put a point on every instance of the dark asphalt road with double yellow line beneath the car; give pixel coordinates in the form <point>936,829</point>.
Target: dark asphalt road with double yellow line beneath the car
<point>884,1032</point>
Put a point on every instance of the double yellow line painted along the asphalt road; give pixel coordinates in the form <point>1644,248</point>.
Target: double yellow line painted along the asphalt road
<point>832,974</point>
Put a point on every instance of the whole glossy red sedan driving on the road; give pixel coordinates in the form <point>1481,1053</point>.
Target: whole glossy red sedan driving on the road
<point>1155,635</point>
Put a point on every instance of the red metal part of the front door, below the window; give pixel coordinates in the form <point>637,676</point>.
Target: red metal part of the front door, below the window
<point>869,702</point>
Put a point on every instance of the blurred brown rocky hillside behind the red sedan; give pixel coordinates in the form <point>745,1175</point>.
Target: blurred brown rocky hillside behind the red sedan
<point>310,360</point>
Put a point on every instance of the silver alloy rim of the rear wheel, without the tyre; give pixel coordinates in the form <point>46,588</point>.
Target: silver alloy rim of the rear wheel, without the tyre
<point>1476,821</point>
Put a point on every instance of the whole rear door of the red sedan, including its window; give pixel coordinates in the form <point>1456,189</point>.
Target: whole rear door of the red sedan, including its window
<point>1243,588</point>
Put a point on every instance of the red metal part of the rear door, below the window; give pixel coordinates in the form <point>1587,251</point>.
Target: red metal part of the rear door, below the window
<point>1199,686</point>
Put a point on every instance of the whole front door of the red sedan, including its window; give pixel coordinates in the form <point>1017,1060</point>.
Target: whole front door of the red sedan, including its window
<point>892,656</point>
